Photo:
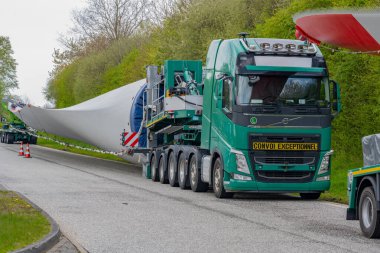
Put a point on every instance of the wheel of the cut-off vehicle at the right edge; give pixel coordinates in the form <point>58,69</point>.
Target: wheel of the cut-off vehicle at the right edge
<point>368,215</point>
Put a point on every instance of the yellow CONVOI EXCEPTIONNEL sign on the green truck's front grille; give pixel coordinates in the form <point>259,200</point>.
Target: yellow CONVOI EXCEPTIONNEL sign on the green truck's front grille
<point>284,146</point>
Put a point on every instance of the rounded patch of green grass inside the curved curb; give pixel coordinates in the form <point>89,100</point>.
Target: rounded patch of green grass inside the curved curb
<point>20,223</point>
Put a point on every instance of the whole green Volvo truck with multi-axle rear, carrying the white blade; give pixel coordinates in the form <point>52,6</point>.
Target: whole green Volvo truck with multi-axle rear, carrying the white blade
<point>256,118</point>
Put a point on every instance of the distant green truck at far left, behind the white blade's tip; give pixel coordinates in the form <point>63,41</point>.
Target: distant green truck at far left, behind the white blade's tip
<point>13,129</point>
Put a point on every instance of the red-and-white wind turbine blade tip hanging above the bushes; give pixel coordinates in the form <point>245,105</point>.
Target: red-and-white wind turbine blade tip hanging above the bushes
<point>353,30</point>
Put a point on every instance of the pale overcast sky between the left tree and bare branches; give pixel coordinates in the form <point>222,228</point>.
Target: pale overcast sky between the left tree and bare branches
<point>34,28</point>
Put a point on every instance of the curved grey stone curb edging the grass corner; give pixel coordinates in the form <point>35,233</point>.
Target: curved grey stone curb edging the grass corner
<point>48,241</point>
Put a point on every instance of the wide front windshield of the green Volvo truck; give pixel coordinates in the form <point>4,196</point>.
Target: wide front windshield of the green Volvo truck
<point>281,89</point>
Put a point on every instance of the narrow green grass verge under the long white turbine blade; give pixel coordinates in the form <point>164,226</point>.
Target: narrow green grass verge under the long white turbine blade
<point>54,145</point>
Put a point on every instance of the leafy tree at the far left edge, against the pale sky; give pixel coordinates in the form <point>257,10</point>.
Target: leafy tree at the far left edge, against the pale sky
<point>8,79</point>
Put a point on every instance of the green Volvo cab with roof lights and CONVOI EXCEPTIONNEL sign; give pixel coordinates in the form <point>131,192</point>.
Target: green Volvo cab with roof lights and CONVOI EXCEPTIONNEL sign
<point>267,111</point>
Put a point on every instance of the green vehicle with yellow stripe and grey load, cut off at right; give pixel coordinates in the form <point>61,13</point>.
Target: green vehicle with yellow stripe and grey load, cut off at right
<point>364,189</point>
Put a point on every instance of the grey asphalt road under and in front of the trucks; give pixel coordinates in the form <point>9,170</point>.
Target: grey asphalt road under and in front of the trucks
<point>108,207</point>
